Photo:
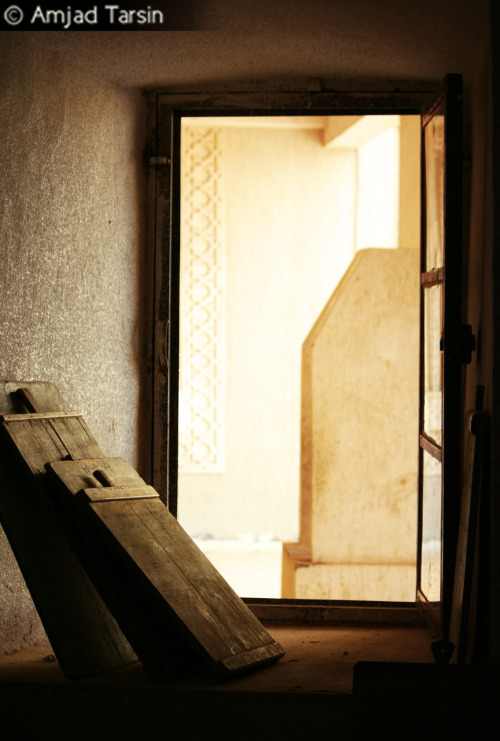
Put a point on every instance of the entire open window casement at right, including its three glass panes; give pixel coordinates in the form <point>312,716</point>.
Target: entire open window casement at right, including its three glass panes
<point>444,349</point>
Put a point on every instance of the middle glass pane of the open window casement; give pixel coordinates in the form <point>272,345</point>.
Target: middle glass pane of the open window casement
<point>433,362</point>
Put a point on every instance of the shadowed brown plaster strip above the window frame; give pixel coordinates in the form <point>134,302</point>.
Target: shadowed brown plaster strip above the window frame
<point>352,43</point>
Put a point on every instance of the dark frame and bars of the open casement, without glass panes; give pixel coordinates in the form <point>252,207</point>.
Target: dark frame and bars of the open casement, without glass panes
<point>448,453</point>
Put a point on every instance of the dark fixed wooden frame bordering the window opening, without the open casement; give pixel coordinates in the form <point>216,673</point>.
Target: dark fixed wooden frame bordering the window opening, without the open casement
<point>166,109</point>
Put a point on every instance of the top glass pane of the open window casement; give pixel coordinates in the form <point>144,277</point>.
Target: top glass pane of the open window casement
<point>434,187</point>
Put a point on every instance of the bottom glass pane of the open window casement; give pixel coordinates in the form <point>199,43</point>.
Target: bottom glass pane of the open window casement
<point>430,575</point>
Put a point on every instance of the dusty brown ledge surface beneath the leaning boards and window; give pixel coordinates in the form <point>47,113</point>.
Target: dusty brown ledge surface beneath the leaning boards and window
<point>318,659</point>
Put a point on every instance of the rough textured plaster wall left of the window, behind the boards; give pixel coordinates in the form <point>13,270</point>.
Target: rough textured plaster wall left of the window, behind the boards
<point>71,245</point>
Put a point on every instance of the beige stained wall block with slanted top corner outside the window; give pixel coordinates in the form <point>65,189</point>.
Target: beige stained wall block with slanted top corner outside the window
<point>360,437</point>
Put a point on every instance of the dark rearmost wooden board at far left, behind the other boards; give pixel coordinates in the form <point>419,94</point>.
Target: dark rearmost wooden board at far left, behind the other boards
<point>84,635</point>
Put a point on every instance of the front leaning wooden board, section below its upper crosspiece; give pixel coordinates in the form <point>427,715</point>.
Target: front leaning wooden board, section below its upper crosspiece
<point>218,622</point>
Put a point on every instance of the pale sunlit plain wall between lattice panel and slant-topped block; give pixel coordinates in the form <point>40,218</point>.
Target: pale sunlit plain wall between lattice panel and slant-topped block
<point>289,207</point>
